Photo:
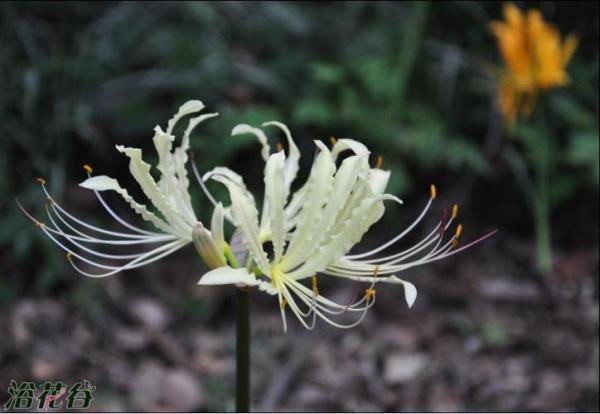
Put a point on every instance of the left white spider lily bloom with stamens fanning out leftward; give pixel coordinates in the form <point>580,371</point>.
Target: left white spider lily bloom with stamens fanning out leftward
<point>177,223</point>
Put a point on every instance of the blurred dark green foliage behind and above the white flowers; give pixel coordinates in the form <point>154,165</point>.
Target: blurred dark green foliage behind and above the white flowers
<point>414,81</point>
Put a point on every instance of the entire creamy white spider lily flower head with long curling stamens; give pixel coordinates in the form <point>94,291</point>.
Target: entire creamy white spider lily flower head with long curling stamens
<point>300,234</point>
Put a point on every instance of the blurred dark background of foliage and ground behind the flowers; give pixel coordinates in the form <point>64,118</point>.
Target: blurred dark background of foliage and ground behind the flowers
<point>417,83</point>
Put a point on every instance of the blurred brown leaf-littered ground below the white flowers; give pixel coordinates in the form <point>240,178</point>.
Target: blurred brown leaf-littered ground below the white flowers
<point>483,335</point>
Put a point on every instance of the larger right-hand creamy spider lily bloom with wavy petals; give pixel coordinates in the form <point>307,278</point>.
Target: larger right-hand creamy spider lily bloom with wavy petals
<point>314,232</point>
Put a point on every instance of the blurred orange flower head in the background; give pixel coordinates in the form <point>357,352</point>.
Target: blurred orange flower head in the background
<point>535,58</point>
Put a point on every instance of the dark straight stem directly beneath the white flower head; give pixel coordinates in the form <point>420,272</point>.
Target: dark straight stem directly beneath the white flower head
<point>242,351</point>
